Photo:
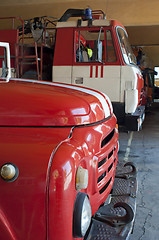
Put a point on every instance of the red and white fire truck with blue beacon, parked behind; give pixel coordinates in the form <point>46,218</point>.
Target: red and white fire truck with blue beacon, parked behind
<point>91,52</point>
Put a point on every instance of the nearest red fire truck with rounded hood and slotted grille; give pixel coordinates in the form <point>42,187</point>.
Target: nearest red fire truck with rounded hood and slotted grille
<point>59,152</point>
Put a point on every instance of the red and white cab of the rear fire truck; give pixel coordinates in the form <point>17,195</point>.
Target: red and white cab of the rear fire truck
<point>111,67</point>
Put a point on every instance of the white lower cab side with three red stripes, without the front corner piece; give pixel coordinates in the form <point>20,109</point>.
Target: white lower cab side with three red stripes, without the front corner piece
<point>81,76</point>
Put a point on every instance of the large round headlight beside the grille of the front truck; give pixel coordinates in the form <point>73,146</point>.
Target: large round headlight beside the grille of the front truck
<point>81,215</point>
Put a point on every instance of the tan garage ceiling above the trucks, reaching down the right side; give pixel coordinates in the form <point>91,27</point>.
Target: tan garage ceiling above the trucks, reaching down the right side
<point>141,18</point>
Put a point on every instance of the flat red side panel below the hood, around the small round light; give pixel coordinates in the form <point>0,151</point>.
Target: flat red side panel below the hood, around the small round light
<point>22,202</point>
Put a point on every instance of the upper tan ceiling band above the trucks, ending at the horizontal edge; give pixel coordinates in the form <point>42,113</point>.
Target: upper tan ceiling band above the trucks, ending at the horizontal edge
<point>129,12</point>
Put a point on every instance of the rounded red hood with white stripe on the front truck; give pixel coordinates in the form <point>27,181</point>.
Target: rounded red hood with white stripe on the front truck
<point>37,103</point>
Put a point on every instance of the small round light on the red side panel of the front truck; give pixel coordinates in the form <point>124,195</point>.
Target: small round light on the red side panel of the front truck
<point>9,172</point>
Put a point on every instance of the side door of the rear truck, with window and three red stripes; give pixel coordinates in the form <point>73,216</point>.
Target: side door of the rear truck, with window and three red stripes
<point>96,64</point>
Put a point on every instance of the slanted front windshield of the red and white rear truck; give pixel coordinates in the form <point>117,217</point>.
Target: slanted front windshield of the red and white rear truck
<point>127,52</point>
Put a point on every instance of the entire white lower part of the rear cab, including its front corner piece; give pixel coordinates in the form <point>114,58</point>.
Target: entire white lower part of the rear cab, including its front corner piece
<point>102,78</point>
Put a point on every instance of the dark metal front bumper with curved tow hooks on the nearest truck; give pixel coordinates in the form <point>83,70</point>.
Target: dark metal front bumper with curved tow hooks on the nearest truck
<point>115,219</point>
